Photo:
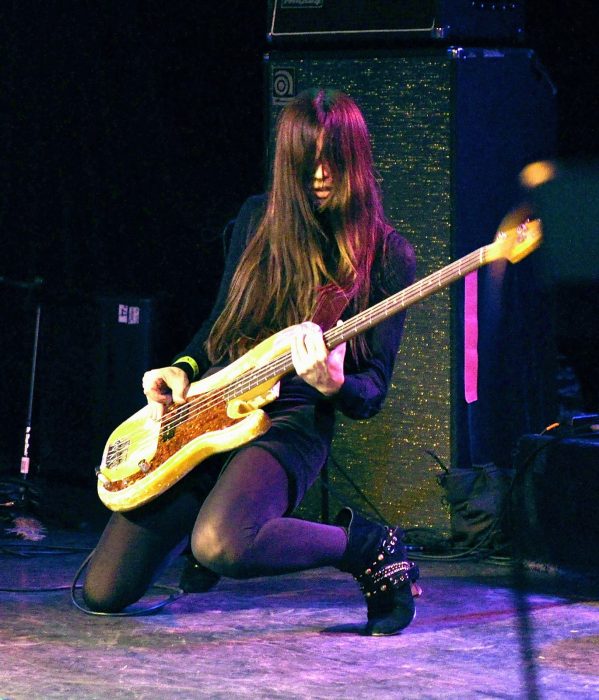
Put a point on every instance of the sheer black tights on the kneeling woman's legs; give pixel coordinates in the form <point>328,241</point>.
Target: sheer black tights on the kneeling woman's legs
<point>239,532</point>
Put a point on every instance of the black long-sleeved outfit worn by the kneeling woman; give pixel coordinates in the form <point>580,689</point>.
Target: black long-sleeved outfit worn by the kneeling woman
<point>303,418</point>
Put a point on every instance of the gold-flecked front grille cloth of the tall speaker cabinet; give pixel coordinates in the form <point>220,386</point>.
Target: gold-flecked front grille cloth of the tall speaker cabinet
<point>406,102</point>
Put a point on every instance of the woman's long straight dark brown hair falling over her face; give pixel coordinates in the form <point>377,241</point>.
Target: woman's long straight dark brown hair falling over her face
<point>299,247</point>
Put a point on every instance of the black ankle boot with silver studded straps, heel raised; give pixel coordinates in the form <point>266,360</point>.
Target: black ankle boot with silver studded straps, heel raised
<point>376,558</point>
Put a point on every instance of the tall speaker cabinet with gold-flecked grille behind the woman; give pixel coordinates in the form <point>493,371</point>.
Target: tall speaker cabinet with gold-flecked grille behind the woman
<point>451,129</point>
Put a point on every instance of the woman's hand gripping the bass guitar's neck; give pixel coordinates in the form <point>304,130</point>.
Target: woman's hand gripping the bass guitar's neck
<point>314,363</point>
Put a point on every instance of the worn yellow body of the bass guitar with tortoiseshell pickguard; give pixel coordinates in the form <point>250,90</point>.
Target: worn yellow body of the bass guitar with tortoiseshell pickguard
<point>143,457</point>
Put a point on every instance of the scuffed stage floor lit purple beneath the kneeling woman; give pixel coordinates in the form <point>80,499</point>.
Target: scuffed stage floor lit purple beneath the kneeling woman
<point>476,635</point>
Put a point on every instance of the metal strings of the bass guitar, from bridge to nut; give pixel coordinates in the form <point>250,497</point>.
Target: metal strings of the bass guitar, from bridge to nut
<point>203,403</point>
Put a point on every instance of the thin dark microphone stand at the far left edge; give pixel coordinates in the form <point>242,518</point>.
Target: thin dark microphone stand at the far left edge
<point>26,526</point>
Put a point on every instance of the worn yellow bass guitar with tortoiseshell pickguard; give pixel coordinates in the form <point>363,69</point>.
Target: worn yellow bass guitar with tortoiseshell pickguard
<point>143,458</point>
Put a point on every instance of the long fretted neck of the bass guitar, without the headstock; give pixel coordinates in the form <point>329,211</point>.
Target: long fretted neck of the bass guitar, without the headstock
<point>368,318</point>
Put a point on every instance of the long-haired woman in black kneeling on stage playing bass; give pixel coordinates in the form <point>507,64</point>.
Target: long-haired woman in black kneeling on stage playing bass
<point>316,247</point>
